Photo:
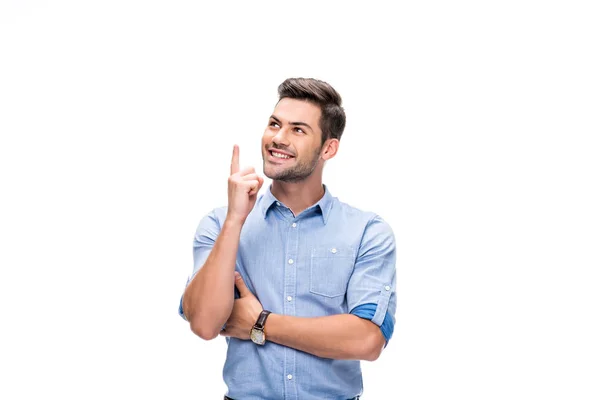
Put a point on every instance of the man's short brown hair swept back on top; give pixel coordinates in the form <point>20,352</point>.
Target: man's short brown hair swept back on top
<point>333,117</point>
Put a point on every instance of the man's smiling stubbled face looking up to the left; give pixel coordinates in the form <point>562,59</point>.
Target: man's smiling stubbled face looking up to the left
<point>292,141</point>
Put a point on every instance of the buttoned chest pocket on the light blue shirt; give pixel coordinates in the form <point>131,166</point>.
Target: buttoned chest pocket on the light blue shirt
<point>330,270</point>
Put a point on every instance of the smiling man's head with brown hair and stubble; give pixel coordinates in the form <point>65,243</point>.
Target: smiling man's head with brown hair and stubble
<point>304,130</point>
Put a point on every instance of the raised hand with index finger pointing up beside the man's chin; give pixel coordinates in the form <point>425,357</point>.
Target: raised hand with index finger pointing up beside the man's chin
<point>243,187</point>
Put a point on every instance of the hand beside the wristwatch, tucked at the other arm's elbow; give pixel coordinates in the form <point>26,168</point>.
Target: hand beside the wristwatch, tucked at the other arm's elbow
<point>245,312</point>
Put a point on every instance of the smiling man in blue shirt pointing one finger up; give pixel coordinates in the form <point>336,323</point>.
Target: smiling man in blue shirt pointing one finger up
<point>316,278</point>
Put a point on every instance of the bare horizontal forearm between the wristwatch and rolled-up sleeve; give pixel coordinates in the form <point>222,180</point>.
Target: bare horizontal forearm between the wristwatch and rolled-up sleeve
<point>341,337</point>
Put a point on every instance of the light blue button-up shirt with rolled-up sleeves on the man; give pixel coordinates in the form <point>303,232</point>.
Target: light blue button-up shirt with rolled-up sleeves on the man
<point>330,259</point>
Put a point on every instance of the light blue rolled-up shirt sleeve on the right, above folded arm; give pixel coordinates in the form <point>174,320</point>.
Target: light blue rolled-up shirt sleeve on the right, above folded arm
<point>373,281</point>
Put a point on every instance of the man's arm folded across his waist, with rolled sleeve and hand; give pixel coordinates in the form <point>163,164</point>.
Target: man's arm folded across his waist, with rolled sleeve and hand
<point>344,336</point>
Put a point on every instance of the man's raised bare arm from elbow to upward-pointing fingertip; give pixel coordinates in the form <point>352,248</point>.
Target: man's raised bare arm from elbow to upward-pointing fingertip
<point>208,299</point>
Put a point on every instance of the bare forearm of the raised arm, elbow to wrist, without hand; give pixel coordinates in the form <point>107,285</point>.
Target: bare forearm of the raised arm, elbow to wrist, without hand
<point>208,299</point>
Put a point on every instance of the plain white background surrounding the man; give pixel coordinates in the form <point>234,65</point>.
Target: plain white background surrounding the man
<point>472,129</point>
